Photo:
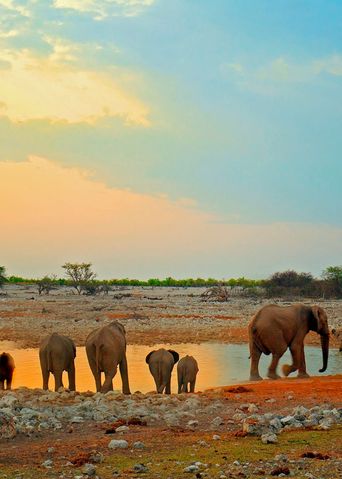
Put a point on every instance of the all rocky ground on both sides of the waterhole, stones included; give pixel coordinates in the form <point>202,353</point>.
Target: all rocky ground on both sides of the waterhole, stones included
<point>281,428</point>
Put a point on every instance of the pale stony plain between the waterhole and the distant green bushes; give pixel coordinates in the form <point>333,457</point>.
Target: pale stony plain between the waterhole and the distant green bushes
<point>150,315</point>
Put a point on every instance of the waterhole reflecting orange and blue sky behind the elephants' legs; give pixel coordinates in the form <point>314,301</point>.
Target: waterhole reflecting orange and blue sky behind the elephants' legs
<point>219,364</point>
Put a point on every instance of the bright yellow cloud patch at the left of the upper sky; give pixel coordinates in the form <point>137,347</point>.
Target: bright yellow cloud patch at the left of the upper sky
<point>34,87</point>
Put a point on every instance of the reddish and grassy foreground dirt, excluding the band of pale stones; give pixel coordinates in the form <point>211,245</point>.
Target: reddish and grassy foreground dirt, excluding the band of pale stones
<point>168,450</point>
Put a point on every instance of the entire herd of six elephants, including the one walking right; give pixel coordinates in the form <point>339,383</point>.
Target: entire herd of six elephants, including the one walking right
<point>272,330</point>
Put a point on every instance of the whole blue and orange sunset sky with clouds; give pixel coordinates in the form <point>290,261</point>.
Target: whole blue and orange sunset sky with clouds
<point>179,138</point>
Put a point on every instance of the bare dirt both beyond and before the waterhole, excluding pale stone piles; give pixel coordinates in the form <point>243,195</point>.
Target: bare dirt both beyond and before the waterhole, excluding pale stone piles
<point>169,315</point>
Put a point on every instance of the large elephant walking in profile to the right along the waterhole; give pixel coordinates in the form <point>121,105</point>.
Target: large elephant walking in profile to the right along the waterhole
<point>275,328</point>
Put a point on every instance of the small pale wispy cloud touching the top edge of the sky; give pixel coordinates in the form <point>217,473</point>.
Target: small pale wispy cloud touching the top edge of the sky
<point>105,8</point>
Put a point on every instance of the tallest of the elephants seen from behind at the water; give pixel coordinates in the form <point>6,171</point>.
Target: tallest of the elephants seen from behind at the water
<point>106,350</point>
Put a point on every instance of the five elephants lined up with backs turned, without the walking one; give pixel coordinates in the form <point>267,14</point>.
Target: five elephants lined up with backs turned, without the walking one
<point>106,351</point>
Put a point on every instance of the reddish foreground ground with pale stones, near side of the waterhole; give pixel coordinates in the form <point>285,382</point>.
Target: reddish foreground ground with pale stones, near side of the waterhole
<point>256,430</point>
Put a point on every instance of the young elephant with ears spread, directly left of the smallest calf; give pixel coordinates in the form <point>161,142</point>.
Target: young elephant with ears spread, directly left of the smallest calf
<point>161,364</point>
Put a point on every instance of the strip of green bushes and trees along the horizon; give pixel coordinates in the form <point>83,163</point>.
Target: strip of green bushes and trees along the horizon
<point>82,278</point>
